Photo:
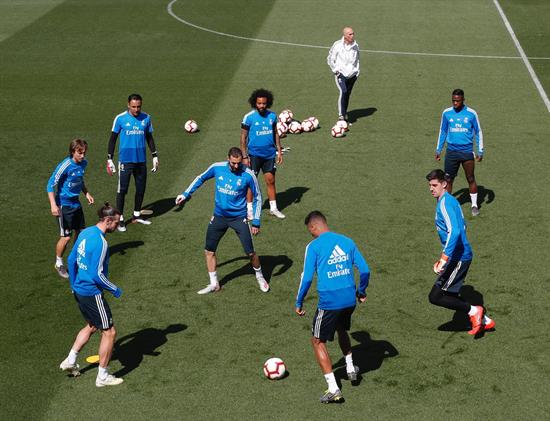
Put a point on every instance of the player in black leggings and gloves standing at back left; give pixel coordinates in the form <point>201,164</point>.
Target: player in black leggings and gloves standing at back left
<point>135,129</point>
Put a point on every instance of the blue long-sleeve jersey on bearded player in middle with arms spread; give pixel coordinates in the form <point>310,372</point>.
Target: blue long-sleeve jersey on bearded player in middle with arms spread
<point>231,189</point>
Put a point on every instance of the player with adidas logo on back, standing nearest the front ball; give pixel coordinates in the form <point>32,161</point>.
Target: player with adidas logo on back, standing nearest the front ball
<point>333,257</point>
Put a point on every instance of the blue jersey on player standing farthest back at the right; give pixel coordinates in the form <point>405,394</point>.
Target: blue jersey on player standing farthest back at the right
<point>459,128</point>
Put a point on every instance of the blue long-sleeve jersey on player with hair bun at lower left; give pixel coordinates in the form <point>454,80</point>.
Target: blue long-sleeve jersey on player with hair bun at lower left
<point>89,264</point>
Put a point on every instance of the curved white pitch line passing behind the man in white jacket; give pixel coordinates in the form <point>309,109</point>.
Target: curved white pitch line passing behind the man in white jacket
<point>292,44</point>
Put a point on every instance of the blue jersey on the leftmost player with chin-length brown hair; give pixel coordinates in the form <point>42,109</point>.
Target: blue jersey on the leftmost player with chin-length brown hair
<point>68,176</point>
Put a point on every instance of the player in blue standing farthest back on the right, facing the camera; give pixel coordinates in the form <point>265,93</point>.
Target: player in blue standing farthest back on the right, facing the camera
<point>459,126</point>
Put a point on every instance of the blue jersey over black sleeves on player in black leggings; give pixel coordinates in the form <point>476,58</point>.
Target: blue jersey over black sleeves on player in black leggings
<point>132,132</point>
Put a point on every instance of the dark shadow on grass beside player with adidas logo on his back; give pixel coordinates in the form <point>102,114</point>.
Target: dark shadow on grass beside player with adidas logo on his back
<point>368,355</point>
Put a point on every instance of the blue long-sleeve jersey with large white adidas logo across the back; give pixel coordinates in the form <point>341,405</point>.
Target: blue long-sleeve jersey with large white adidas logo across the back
<point>333,256</point>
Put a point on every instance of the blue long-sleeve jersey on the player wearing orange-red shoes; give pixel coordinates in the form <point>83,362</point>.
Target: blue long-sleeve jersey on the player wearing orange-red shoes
<point>451,228</point>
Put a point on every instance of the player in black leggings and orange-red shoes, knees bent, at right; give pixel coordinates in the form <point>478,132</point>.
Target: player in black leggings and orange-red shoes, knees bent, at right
<point>456,257</point>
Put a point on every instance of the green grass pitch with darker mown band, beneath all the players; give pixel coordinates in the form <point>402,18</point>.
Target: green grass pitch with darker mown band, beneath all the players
<point>67,69</point>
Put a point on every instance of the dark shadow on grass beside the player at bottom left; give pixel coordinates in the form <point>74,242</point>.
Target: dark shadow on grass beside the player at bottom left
<point>130,349</point>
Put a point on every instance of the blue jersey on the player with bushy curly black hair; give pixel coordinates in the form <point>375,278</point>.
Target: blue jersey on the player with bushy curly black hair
<point>261,133</point>
